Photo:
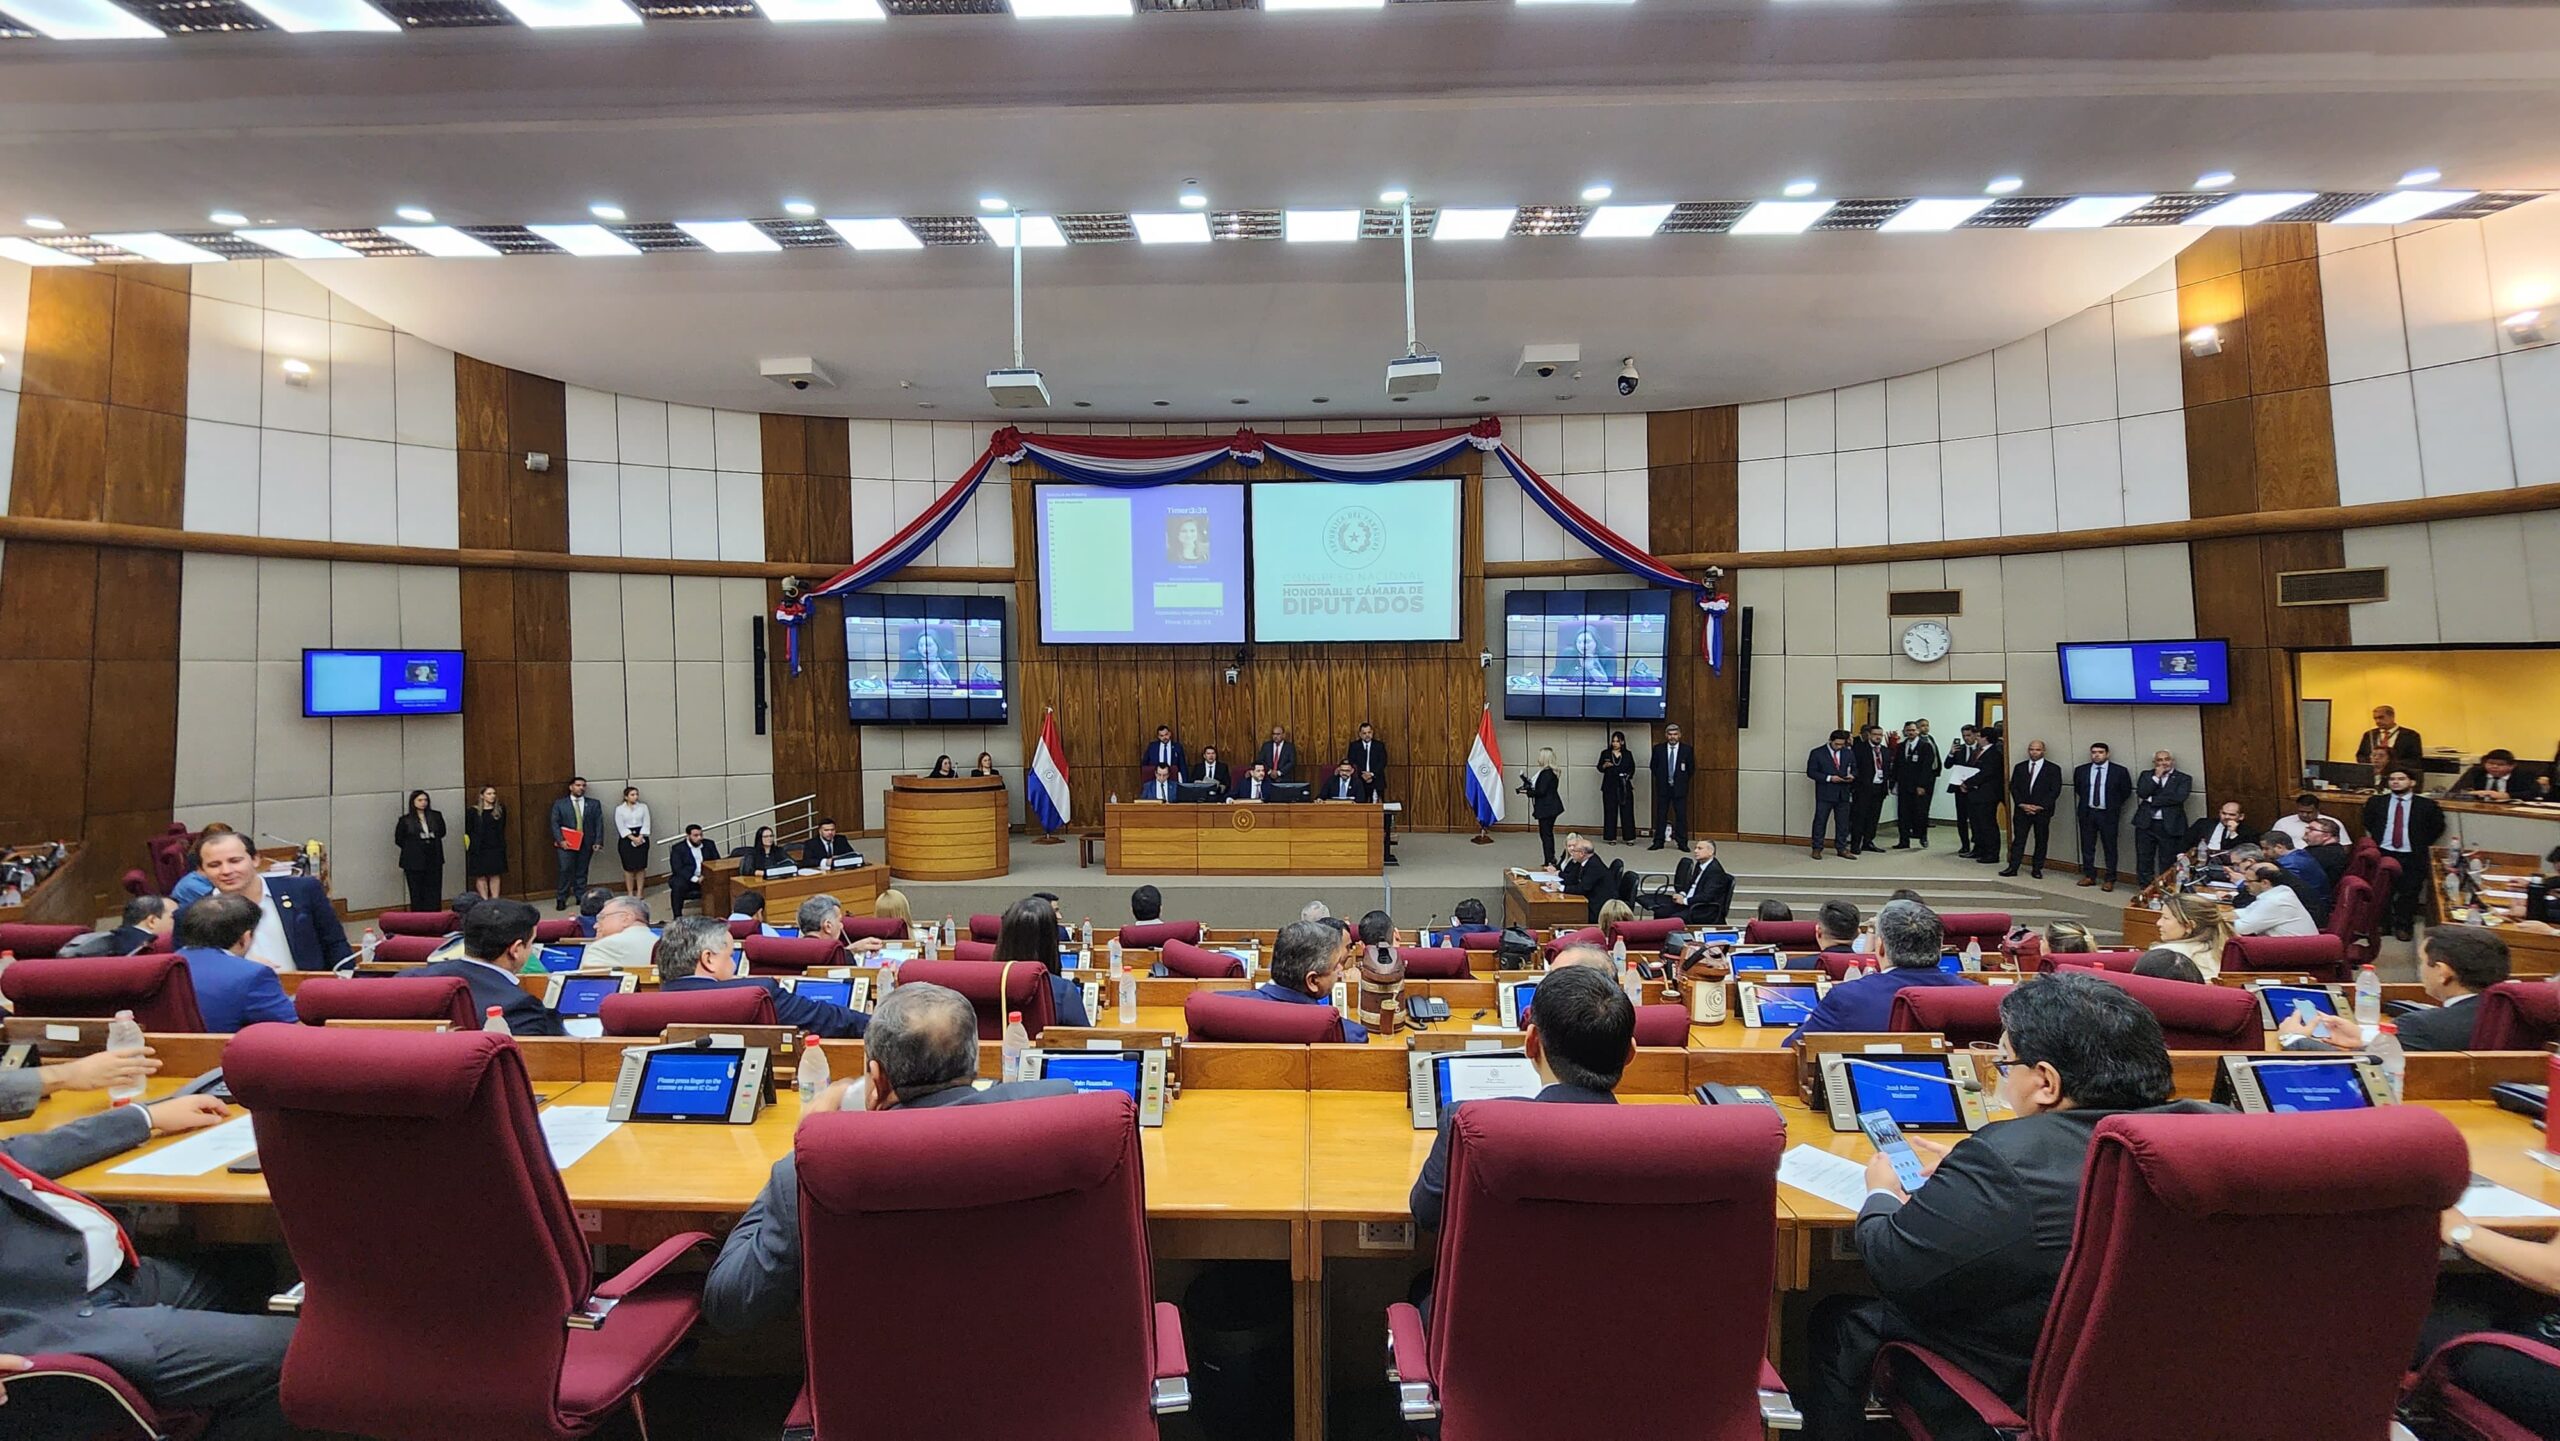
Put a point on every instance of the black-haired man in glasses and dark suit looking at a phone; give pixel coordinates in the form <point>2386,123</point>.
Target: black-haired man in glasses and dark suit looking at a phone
<point>1967,1266</point>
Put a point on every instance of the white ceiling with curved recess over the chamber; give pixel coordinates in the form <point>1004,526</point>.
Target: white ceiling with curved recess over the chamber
<point>1466,104</point>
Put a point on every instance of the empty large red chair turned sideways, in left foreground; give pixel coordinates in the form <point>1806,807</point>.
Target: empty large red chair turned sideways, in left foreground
<point>439,1253</point>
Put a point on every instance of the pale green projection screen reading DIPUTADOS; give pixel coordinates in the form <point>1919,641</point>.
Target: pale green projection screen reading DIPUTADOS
<point>1345,562</point>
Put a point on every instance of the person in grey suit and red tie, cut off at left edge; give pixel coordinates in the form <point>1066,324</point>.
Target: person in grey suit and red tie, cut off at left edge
<point>78,1286</point>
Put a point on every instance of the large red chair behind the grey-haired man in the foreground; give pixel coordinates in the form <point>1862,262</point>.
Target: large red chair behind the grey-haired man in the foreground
<point>905,1204</point>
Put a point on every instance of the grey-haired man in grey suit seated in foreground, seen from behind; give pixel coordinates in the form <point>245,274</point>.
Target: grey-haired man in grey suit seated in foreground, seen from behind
<point>923,1051</point>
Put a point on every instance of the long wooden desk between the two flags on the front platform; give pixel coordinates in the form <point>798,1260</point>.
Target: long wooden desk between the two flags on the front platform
<point>1320,838</point>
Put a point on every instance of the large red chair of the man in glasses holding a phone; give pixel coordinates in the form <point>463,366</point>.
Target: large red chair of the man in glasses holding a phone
<point>2236,1209</point>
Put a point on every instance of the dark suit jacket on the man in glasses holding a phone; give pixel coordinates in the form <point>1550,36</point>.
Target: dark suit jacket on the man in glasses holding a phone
<point>1970,1263</point>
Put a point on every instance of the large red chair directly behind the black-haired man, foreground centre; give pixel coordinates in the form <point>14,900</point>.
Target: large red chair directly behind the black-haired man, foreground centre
<point>1524,1184</point>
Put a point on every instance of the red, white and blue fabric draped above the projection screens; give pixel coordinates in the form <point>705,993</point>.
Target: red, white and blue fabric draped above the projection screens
<point>1376,457</point>
